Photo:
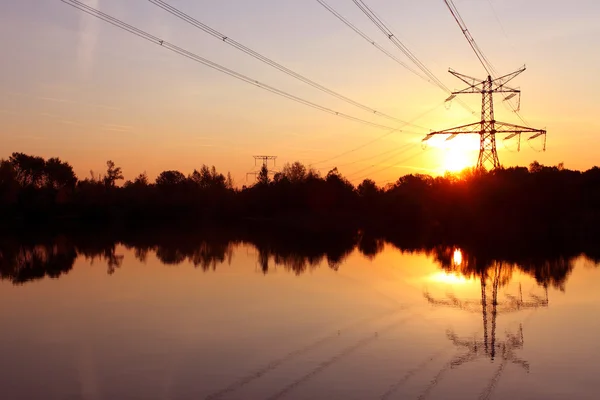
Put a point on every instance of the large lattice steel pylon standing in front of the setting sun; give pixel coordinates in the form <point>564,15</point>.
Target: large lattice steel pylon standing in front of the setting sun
<point>488,127</point>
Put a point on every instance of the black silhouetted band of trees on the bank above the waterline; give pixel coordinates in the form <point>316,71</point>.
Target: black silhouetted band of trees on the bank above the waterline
<point>546,205</point>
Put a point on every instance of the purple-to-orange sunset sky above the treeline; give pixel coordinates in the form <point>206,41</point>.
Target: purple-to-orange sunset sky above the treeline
<point>77,88</point>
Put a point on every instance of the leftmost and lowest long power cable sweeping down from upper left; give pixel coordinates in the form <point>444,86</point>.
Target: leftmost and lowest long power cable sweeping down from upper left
<point>151,38</point>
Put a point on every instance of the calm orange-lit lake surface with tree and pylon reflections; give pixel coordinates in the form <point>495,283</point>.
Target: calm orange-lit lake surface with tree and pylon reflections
<point>229,321</point>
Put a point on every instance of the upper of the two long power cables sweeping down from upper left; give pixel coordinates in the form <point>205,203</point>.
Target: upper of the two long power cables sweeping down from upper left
<point>226,39</point>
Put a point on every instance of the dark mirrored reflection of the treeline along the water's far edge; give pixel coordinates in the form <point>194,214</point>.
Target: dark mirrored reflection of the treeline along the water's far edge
<point>25,257</point>
